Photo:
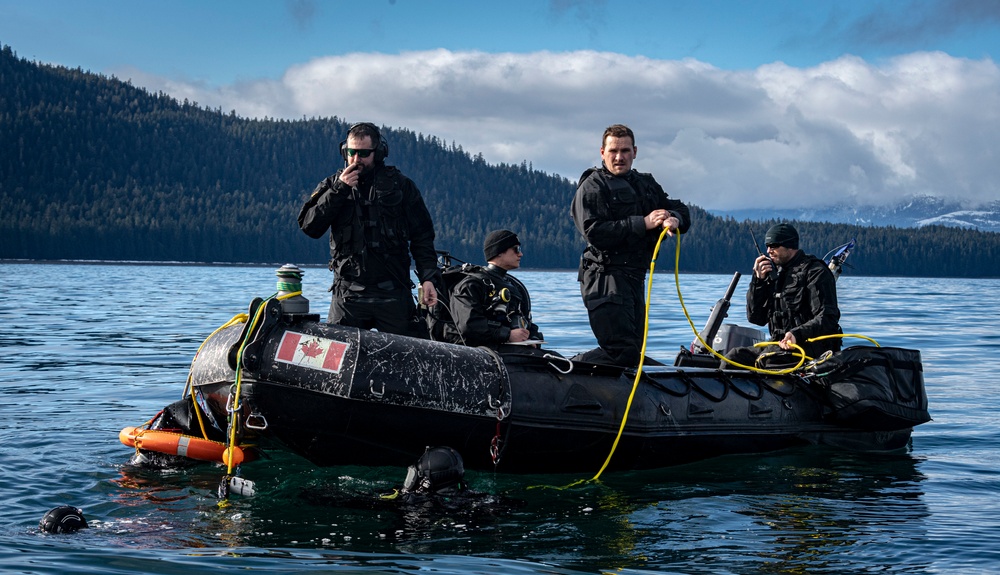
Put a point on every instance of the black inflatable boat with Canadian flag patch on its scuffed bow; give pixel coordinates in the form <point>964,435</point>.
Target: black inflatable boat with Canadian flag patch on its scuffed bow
<point>280,378</point>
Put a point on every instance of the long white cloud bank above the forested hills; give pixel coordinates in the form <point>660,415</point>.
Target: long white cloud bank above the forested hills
<point>923,123</point>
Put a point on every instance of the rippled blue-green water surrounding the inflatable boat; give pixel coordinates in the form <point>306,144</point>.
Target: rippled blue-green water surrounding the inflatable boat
<point>88,349</point>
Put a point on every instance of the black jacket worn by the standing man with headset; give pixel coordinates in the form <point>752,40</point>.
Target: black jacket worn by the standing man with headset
<point>372,228</point>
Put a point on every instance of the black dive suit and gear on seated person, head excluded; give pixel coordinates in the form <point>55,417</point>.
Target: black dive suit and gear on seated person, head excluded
<point>486,305</point>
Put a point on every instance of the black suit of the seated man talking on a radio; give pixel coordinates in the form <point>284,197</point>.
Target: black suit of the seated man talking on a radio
<point>802,300</point>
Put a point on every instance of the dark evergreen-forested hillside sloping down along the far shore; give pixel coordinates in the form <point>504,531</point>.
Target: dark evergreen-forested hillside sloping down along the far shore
<point>94,168</point>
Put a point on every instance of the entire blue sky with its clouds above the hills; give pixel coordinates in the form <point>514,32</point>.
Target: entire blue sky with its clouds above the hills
<point>736,104</point>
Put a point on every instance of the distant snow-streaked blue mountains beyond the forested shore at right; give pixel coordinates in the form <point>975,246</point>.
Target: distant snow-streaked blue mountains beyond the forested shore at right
<point>915,213</point>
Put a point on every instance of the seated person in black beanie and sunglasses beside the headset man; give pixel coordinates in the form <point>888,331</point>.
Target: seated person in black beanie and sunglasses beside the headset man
<point>491,307</point>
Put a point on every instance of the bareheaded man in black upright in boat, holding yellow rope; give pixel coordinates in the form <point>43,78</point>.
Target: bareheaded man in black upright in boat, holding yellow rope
<point>620,213</point>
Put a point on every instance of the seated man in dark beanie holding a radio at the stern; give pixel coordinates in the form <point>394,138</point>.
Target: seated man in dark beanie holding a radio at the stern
<point>797,301</point>
